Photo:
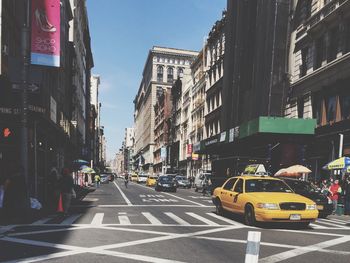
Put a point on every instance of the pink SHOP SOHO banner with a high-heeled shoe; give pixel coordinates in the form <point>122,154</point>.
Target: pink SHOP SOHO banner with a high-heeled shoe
<point>45,49</point>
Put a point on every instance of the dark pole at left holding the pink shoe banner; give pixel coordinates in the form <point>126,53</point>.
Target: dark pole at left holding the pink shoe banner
<point>25,52</point>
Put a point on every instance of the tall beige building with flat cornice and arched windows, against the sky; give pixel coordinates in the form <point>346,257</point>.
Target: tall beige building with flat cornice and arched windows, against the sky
<point>163,66</point>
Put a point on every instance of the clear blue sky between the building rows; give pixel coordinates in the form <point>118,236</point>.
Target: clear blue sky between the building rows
<point>122,33</point>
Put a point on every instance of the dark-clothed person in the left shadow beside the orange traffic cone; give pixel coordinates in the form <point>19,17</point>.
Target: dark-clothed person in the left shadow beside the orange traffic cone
<point>67,190</point>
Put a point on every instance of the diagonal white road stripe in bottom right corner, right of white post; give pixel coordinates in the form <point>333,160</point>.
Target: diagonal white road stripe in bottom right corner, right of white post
<point>300,251</point>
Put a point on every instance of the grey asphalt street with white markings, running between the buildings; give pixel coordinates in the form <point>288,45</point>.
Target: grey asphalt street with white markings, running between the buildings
<point>137,224</point>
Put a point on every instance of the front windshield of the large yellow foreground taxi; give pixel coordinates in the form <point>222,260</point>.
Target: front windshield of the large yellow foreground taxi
<point>261,185</point>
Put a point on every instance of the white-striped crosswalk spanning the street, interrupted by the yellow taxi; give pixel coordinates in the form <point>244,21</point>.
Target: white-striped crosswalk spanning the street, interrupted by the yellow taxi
<point>168,218</point>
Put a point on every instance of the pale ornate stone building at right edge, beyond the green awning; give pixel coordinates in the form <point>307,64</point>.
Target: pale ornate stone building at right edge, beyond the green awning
<point>319,59</point>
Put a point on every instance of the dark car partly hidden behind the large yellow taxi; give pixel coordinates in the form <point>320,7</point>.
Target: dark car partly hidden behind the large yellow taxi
<point>304,188</point>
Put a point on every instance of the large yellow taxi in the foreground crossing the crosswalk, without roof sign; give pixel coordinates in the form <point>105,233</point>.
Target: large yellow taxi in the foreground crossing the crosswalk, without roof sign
<point>263,199</point>
